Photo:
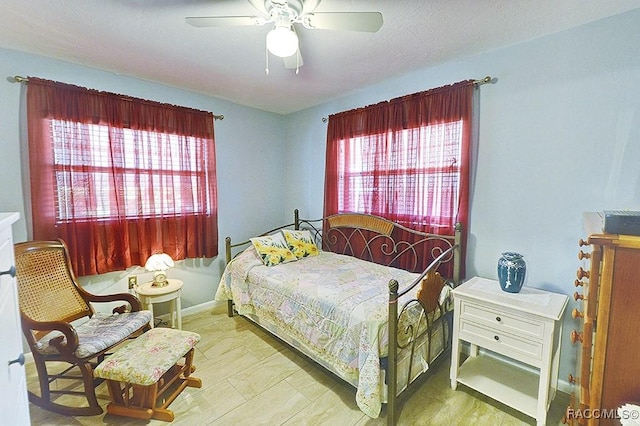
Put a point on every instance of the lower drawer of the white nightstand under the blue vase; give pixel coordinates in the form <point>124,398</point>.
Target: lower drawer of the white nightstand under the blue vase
<point>529,351</point>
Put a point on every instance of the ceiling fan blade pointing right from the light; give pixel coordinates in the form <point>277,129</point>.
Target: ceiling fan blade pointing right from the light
<point>348,21</point>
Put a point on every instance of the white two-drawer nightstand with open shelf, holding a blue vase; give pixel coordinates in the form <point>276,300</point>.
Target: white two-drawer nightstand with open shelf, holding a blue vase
<point>525,327</point>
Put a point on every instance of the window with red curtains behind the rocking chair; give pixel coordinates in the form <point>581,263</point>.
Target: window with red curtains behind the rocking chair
<point>120,178</point>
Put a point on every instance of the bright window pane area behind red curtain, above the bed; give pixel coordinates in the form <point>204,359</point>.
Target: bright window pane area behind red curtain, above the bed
<point>415,180</point>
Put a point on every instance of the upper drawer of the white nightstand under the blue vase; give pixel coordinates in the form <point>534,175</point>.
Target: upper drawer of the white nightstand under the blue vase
<point>502,322</point>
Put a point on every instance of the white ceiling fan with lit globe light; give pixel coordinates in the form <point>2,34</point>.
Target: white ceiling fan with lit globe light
<point>282,40</point>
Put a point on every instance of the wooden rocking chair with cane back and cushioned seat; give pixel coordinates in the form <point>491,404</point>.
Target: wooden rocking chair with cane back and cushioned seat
<point>60,324</point>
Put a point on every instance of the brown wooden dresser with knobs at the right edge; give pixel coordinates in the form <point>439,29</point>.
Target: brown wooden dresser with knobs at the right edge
<point>607,326</point>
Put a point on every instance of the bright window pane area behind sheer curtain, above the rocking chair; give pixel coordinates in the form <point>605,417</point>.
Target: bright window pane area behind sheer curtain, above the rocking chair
<point>152,171</point>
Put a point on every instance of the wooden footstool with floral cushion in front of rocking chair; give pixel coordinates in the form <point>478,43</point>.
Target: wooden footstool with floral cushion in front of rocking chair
<point>144,376</point>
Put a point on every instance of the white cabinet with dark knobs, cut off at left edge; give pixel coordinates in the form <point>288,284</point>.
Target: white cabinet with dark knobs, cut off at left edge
<point>13,383</point>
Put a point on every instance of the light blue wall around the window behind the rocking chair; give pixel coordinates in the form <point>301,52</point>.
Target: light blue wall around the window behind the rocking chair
<point>248,143</point>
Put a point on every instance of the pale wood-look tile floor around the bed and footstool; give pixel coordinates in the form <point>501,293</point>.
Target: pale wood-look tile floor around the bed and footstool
<point>251,378</point>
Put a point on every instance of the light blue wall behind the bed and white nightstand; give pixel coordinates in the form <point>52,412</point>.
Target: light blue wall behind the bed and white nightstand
<point>559,135</point>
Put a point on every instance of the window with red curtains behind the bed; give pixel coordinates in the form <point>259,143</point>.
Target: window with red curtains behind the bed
<point>406,159</point>
